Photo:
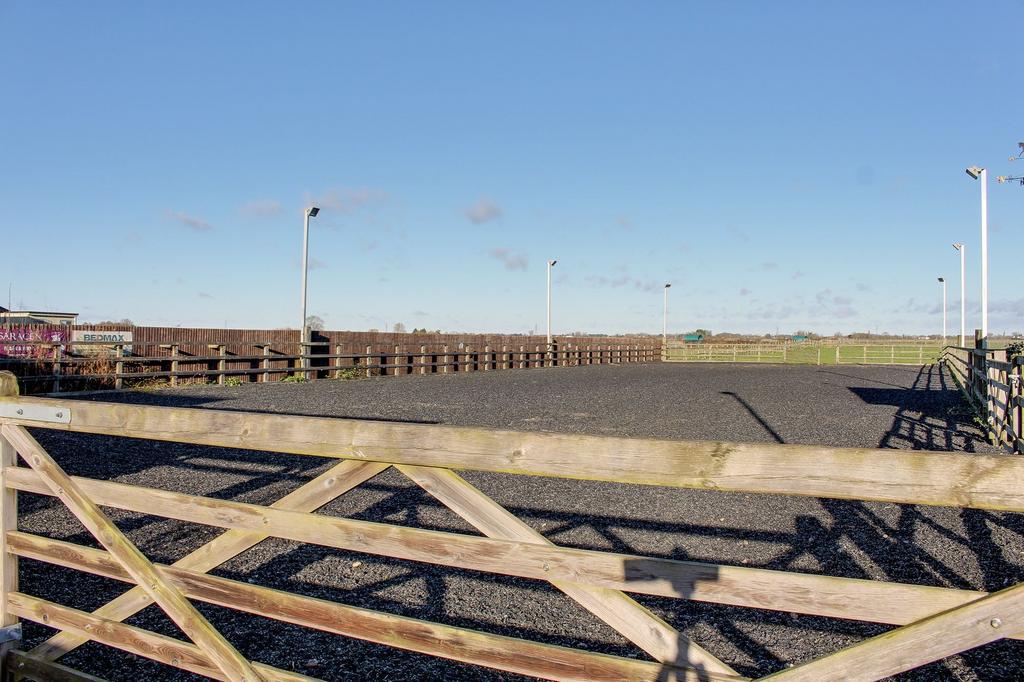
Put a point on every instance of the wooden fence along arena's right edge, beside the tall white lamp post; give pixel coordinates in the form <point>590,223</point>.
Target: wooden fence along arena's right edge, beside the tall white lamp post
<point>995,388</point>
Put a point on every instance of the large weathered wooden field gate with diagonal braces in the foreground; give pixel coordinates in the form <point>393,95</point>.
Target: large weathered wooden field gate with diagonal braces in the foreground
<point>934,623</point>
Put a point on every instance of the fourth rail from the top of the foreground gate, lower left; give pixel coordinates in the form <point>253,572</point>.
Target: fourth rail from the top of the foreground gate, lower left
<point>135,641</point>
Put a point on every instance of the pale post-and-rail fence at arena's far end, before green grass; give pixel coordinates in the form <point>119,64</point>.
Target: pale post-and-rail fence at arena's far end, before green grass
<point>805,354</point>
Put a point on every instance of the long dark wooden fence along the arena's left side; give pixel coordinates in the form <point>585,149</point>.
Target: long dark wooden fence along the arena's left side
<point>64,367</point>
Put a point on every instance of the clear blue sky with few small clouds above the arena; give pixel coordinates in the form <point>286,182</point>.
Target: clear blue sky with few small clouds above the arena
<point>785,165</point>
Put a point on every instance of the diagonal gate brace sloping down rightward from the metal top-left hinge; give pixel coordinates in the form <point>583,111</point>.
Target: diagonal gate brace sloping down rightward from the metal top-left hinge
<point>170,601</point>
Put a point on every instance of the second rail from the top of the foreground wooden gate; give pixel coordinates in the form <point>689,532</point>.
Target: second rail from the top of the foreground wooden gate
<point>803,593</point>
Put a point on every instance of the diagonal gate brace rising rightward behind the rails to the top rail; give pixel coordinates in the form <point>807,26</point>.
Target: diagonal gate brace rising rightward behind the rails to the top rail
<point>322,490</point>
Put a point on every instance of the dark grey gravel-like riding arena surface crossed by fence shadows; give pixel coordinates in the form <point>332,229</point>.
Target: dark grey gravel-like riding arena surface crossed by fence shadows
<point>906,408</point>
